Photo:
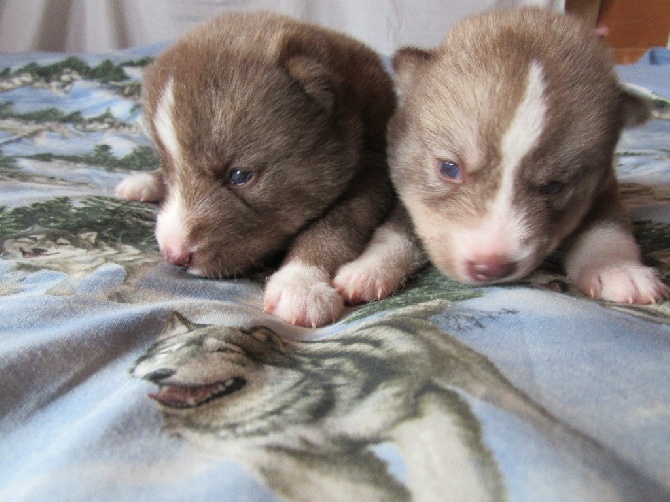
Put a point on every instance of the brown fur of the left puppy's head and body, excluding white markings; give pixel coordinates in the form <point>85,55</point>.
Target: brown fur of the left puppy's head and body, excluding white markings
<point>306,105</point>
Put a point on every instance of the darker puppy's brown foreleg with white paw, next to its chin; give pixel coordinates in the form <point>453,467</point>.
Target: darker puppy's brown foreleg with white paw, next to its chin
<point>301,291</point>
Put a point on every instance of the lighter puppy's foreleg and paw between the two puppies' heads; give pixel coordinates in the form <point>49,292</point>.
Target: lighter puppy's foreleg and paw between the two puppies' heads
<point>389,259</point>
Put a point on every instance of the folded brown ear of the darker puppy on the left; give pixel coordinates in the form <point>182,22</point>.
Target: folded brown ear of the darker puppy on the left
<point>318,81</point>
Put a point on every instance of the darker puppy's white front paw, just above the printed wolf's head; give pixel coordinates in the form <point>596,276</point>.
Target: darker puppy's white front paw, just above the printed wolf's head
<point>302,295</point>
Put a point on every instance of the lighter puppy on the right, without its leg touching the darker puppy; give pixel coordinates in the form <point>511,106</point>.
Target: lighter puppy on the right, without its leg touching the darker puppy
<point>502,151</point>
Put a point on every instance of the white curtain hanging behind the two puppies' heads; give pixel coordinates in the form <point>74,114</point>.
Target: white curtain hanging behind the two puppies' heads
<point>107,25</point>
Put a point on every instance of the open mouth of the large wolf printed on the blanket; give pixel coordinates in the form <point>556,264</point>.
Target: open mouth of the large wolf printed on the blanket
<point>192,396</point>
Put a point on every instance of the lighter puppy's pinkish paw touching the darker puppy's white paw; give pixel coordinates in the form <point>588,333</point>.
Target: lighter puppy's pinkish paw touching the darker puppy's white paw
<point>359,282</point>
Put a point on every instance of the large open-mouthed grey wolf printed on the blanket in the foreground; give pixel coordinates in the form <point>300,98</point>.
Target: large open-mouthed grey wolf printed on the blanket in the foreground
<point>306,417</point>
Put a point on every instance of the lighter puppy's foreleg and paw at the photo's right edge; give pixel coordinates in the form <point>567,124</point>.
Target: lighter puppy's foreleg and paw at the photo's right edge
<point>604,260</point>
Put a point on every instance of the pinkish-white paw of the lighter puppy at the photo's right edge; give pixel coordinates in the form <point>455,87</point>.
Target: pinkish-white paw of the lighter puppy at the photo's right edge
<point>627,282</point>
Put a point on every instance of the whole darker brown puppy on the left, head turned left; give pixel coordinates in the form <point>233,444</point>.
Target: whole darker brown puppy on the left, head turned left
<point>272,137</point>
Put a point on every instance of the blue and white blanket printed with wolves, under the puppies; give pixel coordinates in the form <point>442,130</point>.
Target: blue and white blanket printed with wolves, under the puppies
<point>441,392</point>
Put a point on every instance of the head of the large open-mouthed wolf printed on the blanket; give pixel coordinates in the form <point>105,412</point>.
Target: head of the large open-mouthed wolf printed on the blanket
<point>239,381</point>
